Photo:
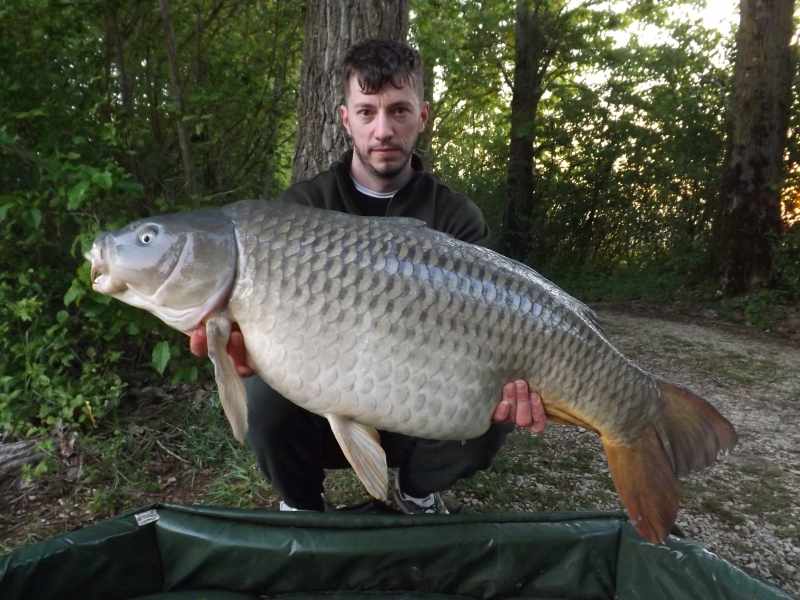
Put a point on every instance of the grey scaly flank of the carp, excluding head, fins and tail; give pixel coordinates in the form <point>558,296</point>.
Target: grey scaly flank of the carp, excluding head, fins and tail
<point>475,306</point>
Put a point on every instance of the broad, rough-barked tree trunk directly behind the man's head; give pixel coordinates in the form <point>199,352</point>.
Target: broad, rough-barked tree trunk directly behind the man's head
<point>331,27</point>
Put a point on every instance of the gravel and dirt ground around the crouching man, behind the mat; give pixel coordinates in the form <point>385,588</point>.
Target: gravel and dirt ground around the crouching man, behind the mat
<point>746,508</point>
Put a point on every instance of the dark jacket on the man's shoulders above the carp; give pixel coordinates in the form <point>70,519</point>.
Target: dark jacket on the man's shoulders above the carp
<point>425,197</point>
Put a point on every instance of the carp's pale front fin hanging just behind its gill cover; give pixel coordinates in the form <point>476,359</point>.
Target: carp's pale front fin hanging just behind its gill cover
<point>229,384</point>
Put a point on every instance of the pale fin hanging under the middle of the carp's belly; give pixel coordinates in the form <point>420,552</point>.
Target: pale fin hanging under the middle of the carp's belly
<point>361,446</point>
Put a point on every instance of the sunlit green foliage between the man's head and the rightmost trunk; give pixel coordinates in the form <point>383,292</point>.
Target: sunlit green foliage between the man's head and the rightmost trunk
<point>628,137</point>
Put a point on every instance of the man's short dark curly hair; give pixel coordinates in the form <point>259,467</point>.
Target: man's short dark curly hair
<point>377,63</point>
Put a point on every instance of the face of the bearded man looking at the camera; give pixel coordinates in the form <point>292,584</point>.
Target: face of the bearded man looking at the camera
<point>384,127</point>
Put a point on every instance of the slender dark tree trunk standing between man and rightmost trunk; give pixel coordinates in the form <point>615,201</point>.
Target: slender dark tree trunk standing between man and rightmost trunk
<point>533,53</point>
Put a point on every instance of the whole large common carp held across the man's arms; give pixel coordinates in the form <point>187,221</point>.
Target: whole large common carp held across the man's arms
<point>383,323</point>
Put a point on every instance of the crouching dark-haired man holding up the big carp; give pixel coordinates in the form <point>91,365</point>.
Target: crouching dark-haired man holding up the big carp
<point>383,113</point>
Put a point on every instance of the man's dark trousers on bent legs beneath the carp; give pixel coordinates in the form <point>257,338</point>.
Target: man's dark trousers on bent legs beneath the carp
<point>293,447</point>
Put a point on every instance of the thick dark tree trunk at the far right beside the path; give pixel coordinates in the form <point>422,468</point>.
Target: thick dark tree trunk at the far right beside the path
<point>748,214</point>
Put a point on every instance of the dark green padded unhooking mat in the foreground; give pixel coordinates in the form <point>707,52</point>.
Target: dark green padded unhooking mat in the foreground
<point>173,552</point>
